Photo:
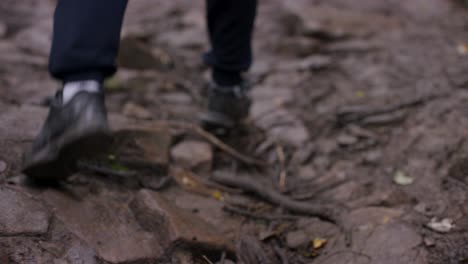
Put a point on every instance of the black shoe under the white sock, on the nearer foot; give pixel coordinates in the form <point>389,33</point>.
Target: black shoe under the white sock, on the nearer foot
<point>72,130</point>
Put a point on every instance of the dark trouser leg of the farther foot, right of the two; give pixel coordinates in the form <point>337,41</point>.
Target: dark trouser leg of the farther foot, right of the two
<point>230,27</point>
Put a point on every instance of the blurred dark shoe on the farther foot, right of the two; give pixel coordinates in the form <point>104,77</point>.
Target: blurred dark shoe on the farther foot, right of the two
<point>228,106</point>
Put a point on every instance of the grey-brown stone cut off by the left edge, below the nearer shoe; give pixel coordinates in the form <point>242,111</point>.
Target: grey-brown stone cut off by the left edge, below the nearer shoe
<point>21,214</point>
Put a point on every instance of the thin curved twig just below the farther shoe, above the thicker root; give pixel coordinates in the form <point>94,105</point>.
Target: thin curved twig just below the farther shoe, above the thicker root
<point>218,143</point>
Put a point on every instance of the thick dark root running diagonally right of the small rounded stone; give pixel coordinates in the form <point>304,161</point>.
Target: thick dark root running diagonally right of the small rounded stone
<point>331,213</point>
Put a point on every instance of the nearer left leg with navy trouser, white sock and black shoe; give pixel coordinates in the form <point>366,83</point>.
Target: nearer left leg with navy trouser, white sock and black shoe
<point>84,48</point>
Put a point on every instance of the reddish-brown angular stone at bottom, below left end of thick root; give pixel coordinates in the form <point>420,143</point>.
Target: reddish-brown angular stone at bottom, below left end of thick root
<point>175,226</point>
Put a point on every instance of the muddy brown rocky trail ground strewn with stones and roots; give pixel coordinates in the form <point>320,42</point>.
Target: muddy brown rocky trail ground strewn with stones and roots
<point>360,109</point>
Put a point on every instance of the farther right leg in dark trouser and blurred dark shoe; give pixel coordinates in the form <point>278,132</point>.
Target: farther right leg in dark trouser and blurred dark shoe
<point>230,26</point>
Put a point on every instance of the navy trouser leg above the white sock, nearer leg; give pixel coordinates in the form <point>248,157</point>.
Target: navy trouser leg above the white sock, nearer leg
<point>86,39</point>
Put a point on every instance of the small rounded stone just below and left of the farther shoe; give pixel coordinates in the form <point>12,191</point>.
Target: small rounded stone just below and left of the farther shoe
<point>195,155</point>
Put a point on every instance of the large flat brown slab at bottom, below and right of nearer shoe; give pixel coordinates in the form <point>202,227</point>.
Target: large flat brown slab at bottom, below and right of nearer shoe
<point>107,225</point>
